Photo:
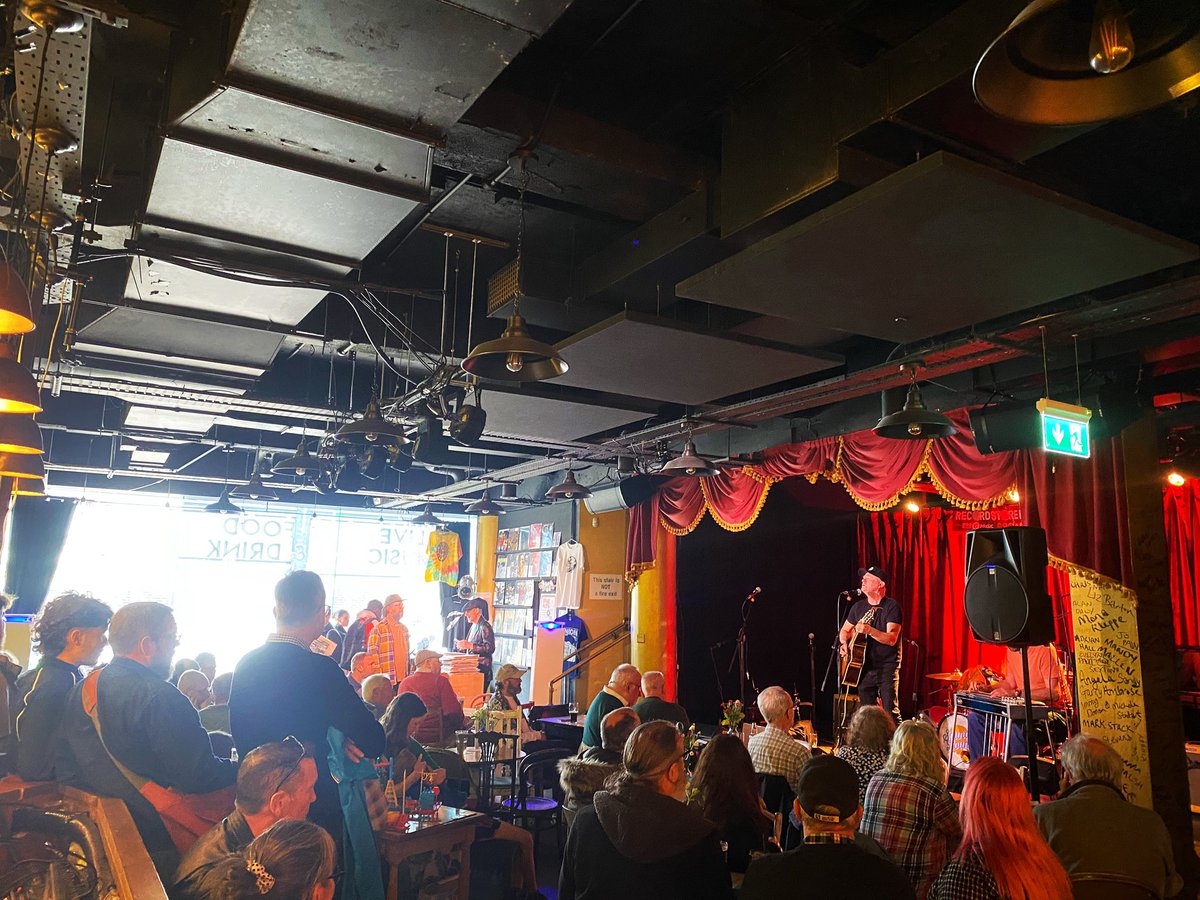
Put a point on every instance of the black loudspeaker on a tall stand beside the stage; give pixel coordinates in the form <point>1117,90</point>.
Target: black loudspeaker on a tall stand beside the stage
<point>1007,603</point>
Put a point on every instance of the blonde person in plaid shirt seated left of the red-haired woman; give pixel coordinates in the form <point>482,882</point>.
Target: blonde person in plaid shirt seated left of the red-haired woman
<point>909,811</point>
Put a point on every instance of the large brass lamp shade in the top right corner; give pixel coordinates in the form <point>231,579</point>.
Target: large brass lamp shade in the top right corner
<point>1039,70</point>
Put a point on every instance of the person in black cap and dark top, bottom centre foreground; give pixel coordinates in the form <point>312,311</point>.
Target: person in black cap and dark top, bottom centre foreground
<point>830,863</point>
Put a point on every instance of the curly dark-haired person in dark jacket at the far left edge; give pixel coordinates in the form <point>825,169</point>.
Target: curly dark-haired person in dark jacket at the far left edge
<point>70,632</point>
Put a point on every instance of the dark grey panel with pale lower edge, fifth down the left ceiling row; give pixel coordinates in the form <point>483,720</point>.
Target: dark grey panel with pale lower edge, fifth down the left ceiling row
<point>152,335</point>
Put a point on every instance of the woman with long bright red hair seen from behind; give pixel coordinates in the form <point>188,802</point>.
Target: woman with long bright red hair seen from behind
<point>1004,855</point>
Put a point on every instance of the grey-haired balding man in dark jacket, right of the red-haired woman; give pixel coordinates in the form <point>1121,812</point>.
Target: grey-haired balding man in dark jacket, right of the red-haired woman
<point>1094,829</point>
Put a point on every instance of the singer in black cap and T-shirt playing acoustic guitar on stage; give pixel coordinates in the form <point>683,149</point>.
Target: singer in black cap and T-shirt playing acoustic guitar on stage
<point>881,669</point>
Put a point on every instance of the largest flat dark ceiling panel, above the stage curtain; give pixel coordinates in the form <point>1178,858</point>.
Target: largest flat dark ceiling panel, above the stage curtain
<point>938,247</point>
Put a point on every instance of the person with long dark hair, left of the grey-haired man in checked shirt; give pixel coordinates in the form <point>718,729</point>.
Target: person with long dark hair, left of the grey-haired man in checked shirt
<point>727,793</point>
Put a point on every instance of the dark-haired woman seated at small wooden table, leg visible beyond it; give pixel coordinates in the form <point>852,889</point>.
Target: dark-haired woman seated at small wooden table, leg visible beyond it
<point>409,757</point>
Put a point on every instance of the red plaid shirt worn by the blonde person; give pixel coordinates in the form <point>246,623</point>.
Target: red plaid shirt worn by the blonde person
<point>916,821</point>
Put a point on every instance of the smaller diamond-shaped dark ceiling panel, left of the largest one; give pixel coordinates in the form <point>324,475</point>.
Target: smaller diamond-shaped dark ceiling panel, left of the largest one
<point>645,357</point>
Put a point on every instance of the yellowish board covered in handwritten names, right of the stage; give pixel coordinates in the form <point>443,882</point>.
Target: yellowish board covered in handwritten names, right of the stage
<point>1108,675</point>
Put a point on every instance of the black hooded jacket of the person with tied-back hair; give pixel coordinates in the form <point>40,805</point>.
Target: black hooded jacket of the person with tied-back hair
<point>635,844</point>
